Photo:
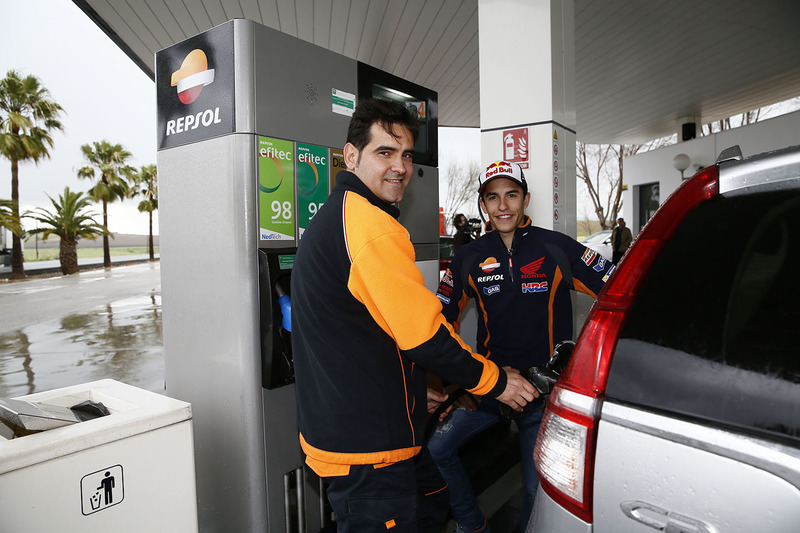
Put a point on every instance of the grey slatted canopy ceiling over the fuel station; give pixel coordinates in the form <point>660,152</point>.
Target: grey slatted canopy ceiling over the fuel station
<point>641,68</point>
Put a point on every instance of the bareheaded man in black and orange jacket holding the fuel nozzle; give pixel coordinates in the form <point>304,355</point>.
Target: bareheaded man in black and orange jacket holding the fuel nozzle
<point>365,330</point>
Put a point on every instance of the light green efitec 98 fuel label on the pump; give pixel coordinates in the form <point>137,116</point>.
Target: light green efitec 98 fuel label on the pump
<point>276,189</point>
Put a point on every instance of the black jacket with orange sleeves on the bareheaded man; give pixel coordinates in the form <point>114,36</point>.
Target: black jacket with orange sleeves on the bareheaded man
<point>364,331</point>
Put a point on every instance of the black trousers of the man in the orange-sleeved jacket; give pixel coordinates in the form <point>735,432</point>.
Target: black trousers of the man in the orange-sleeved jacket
<point>406,497</point>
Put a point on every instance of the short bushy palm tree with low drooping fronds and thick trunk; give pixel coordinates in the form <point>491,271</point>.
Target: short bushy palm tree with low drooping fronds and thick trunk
<point>69,223</point>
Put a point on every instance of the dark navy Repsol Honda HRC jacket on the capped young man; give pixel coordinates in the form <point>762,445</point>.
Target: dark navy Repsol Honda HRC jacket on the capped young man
<point>522,296</point>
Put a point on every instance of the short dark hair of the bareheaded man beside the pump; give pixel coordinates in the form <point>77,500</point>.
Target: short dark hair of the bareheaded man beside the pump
<point>386,113</point>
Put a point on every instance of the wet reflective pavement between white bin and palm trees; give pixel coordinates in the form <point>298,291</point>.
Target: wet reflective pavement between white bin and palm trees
<point>68,330</point>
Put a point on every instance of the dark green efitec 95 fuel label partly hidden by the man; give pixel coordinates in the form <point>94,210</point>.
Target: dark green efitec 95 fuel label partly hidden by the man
<point>312,182</point>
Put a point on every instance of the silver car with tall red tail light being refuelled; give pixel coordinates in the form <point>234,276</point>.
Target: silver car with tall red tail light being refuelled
<point>680,409</point>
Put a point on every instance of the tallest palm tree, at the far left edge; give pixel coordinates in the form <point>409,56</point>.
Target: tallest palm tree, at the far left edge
<point>27,116</point>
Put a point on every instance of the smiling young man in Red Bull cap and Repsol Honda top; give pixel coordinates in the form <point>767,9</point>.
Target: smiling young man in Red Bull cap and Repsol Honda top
<point>520,276</point>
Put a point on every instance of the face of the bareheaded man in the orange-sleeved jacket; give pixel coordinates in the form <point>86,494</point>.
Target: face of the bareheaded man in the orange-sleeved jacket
<point>384,165</point>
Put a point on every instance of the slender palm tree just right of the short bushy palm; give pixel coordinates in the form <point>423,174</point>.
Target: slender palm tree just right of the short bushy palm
<point>112,185</point>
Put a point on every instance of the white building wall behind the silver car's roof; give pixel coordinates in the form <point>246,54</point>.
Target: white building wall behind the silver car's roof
<point>656,166</point>
